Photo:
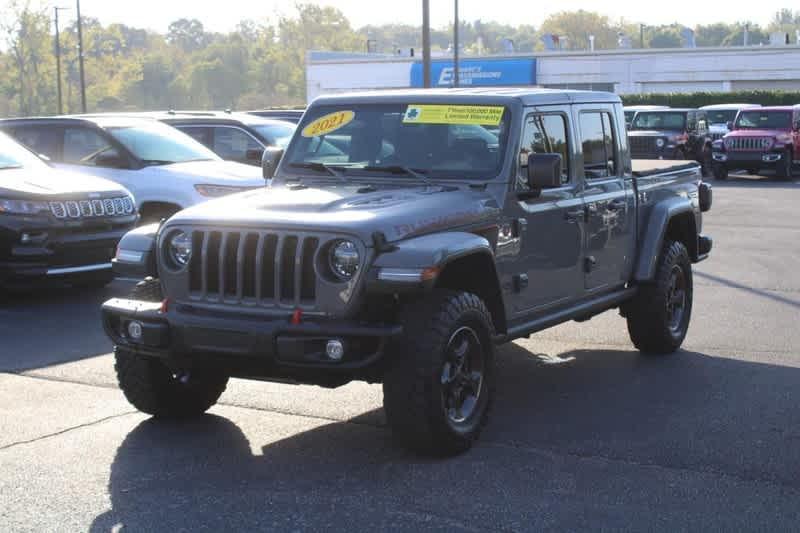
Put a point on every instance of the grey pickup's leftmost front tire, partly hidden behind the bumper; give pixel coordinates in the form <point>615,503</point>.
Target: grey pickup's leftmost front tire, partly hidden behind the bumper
<point>156,389</point>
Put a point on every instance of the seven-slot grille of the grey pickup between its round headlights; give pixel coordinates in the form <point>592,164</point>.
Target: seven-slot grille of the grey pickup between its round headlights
<point>269,269</point>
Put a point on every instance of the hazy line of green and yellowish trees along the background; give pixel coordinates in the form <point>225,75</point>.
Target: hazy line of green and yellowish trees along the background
<point>262,63</point>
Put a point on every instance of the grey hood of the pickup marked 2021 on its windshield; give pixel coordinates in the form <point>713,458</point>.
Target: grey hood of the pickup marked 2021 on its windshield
<point>397,212</point>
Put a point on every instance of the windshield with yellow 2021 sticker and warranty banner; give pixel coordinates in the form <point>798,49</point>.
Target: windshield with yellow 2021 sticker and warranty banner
<point>437,141</point>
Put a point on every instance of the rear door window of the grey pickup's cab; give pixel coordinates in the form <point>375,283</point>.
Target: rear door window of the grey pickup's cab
<point>598,140</point>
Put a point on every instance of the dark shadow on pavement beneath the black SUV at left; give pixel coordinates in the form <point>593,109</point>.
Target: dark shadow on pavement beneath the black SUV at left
<point>48,326</point>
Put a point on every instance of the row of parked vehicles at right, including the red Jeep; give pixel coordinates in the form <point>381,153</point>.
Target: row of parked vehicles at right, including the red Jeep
<point>721,138</point>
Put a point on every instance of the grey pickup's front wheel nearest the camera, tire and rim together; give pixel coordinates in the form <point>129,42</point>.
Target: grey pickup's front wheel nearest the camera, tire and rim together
<point>420,389</point>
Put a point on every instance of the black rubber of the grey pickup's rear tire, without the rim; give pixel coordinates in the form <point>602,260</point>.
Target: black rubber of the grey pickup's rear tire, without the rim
<point>646,312</point>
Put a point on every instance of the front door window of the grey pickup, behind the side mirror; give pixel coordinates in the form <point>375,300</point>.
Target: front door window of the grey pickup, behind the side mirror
<point>543,134</point>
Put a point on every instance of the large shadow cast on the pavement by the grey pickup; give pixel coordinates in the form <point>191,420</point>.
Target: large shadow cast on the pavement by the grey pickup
<point>689,414</point>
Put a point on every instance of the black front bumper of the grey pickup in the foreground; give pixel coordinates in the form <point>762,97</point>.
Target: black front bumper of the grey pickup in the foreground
<point>184,332</point>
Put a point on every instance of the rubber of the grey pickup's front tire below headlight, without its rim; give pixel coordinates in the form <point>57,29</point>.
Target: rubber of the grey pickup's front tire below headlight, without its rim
<point>409,401</point>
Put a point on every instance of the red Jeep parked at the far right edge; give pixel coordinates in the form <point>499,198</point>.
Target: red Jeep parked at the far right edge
<point>762,138</point>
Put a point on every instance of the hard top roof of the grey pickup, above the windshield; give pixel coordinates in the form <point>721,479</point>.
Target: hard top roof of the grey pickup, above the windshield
<point>528,96</point>
